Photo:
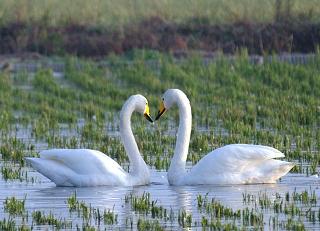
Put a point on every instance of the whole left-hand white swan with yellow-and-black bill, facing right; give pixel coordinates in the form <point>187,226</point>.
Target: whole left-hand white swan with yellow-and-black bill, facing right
<point>85,167</point>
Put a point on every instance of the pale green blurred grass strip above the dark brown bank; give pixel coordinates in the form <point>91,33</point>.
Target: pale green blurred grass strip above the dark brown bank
<point>120,13</point>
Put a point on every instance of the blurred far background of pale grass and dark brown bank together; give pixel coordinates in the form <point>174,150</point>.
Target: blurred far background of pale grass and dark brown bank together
<point>99,28</point>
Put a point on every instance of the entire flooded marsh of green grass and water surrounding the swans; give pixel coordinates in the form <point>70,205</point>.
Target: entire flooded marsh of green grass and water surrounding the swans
<point>275,104</point>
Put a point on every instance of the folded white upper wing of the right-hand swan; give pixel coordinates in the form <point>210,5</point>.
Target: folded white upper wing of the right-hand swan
<point>235,158</point>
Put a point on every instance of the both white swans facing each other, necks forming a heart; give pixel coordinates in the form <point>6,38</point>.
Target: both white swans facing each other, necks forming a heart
<point>231,164</point>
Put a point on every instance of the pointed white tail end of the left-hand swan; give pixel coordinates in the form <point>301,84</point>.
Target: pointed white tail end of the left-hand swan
<point>52,170</point>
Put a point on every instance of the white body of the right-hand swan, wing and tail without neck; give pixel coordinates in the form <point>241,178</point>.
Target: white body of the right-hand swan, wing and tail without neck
<point>239,164</point>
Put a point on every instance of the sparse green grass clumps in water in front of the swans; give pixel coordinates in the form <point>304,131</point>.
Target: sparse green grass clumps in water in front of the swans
<point>212,214</point>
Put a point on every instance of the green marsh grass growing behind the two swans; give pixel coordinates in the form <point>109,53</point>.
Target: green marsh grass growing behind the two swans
<point>273,104</point>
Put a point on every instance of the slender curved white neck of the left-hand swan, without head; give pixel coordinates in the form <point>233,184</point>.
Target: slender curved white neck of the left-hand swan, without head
<point>137,165</point>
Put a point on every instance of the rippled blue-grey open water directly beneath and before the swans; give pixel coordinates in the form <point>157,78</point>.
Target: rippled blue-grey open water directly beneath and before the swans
<point>44,196</point>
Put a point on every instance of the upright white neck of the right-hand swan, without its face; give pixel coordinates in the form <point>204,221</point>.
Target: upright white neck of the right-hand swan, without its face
<point>178,162</point>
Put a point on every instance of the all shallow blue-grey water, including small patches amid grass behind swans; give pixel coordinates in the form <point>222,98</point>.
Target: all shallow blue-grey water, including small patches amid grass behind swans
<point>43,195</point>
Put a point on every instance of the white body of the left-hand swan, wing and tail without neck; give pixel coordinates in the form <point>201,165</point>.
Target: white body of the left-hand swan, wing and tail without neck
<point>78,167</point>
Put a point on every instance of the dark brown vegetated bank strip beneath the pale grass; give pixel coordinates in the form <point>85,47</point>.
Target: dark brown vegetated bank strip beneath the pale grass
<point>157,34</point>
